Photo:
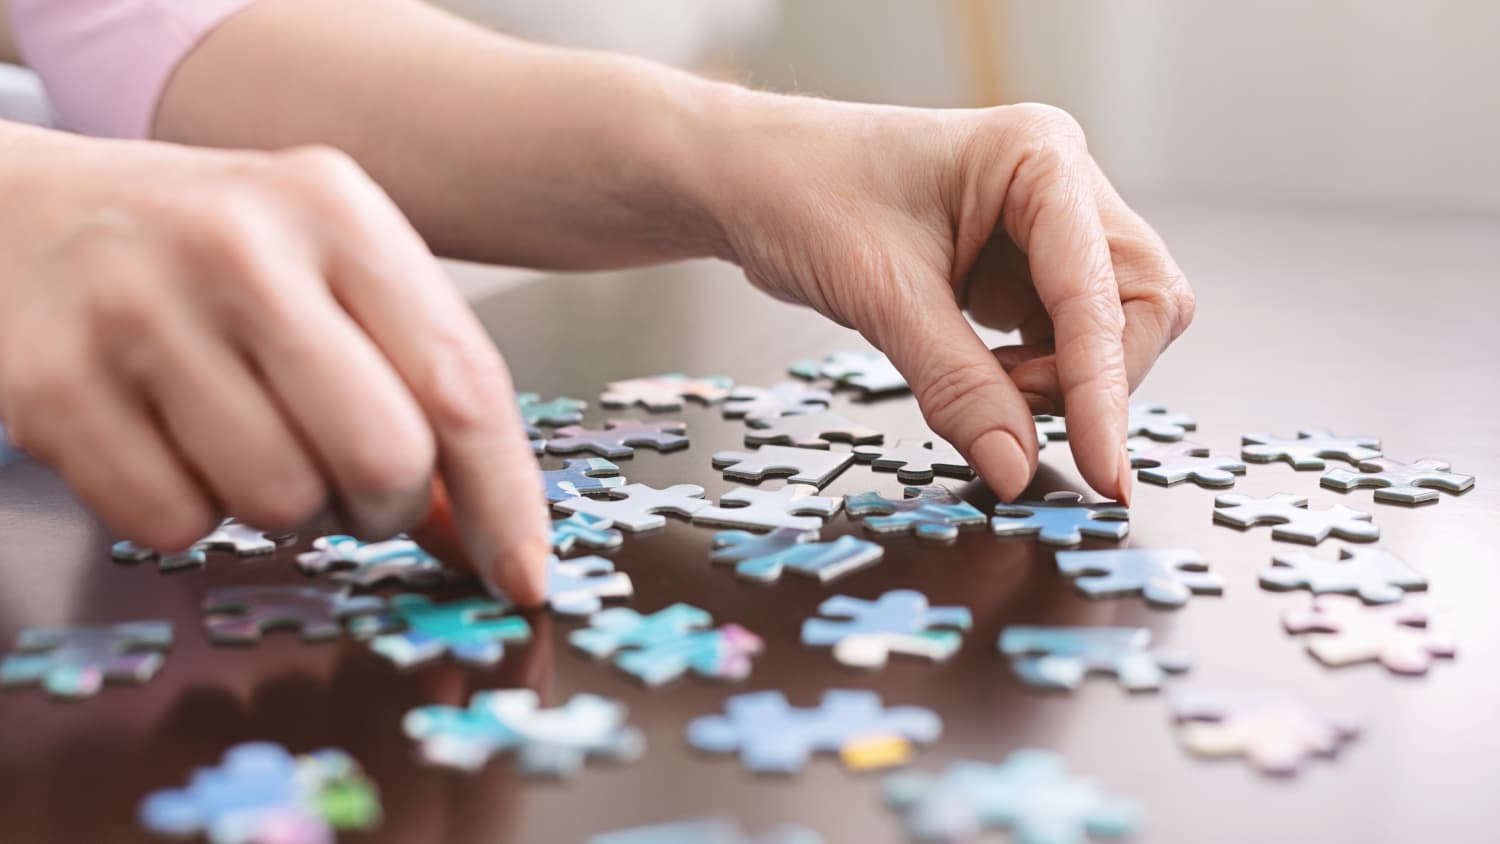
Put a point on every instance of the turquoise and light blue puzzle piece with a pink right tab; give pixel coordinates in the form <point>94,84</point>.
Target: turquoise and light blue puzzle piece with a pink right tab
<point>665,645</point>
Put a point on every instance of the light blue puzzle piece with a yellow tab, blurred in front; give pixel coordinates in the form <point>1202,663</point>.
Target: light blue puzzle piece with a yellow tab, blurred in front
<point>772,737</point>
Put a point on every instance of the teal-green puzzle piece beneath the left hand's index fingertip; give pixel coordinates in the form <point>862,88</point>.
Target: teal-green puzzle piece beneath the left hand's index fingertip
<point>415,630</point>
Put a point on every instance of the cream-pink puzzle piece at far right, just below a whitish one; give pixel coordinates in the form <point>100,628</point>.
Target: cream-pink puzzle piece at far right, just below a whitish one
<point>1340,632</point>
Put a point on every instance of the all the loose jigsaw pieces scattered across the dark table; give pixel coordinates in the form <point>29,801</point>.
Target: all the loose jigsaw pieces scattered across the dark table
<point>1360,611</point>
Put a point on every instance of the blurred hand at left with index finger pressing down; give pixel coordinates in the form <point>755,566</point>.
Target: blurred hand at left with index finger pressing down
<point>191,334</point>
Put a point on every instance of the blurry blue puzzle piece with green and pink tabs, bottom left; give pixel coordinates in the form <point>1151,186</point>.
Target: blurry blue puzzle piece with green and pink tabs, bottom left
<point>263,795</point>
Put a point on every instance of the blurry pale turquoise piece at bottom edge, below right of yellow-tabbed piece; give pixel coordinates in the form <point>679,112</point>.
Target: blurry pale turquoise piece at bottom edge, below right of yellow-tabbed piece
<point>1031,795</point>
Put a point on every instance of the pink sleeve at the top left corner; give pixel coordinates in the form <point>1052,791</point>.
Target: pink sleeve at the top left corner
<point>106,62</point>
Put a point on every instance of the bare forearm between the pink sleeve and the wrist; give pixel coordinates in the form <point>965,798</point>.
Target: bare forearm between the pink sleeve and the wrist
<point>496,149</point>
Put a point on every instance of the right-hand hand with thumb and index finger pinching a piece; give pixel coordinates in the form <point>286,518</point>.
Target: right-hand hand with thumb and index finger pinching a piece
<point>896,221</point>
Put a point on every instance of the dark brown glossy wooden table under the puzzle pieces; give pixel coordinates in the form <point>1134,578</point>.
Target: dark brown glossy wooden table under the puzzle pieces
<point>1361,325</point>
